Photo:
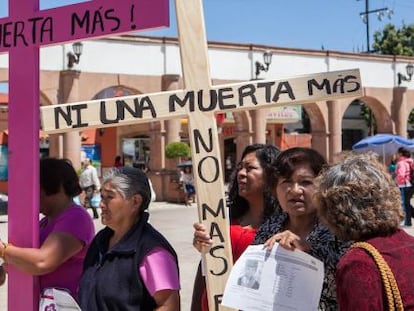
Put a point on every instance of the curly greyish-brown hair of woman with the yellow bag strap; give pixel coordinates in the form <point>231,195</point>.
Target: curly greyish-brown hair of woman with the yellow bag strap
<point>357,198</point>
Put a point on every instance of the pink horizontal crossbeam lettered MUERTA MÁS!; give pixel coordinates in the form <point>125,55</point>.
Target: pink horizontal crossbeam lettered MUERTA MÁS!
<point>79,21</point>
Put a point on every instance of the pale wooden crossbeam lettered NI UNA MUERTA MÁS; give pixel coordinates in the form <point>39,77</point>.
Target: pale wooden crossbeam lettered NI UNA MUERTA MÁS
<point>143,108</point>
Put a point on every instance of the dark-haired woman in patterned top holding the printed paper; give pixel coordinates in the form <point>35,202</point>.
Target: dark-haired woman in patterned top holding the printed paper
<point>292,176</point>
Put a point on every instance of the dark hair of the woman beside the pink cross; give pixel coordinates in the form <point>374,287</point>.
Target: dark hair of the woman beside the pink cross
<point>55,173</point>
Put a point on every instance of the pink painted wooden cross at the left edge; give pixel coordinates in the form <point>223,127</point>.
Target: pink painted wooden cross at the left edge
<point>21,34</point>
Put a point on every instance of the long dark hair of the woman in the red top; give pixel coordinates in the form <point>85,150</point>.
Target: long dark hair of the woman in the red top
<point>238,205</point>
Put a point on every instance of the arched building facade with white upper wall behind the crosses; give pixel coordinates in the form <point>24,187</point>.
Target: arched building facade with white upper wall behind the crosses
<point>139,65</point>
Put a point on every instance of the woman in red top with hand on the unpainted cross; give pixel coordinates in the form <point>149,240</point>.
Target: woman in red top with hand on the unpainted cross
<point>250,202</point>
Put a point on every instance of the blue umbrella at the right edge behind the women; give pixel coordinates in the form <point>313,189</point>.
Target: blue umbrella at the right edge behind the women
<point>383,144</point>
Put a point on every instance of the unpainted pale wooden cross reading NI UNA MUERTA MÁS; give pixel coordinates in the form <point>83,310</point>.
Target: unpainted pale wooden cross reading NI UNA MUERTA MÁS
<point>199,101</point>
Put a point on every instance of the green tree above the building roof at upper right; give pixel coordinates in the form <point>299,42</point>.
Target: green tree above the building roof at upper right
<point>395,41</point>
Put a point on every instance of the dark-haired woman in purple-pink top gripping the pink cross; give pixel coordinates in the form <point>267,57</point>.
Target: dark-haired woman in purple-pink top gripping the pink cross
<point>66,230</point>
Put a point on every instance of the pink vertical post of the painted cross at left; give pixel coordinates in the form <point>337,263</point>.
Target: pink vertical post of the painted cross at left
<point>23,160</point>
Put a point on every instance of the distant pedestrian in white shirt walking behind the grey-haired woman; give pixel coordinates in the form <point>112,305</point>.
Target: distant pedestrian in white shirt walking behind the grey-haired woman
<point>90,184</point>
